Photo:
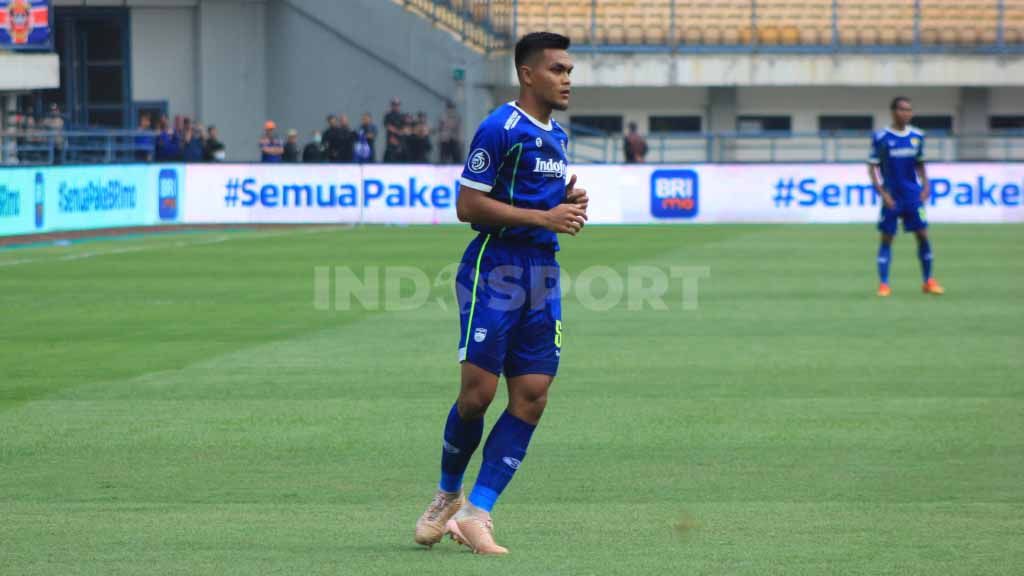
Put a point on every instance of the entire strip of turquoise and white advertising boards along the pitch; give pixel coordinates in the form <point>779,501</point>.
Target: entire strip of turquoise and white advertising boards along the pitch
<point>56,199</point>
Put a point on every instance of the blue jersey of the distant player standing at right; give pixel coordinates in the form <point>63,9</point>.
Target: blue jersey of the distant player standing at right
<point>898,154</point>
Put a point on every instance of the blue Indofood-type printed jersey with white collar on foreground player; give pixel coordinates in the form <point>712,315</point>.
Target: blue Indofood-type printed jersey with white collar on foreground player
<point>521,161</point>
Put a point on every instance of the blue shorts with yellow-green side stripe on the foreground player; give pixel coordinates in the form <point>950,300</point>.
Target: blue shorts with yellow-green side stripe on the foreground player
<point>510,308</point>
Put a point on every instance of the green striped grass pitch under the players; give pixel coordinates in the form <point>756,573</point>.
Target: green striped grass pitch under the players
<point>176,404</point>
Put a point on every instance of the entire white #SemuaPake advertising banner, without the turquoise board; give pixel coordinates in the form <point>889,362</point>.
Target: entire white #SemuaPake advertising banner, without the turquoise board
<point>636,194</point>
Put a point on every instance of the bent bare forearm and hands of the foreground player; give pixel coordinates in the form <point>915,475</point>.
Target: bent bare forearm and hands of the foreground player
<point>477,208</point>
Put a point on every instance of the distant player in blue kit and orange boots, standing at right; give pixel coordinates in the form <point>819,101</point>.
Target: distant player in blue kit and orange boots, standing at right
<point>899,152</point>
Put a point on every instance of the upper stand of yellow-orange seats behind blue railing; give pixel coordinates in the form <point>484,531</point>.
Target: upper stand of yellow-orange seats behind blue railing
<point>741,26</point>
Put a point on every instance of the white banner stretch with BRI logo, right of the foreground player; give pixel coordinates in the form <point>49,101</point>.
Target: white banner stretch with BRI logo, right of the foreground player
<point>791,193</point>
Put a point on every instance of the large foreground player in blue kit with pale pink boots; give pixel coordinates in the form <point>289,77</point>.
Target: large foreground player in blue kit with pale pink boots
<point>515,193</point>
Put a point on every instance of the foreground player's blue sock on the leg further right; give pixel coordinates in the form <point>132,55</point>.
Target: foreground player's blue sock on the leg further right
<point>504,451</point>
